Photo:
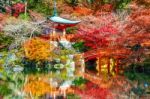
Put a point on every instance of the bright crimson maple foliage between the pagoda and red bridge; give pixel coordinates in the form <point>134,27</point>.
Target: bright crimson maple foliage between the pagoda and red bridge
<point>97,38</point>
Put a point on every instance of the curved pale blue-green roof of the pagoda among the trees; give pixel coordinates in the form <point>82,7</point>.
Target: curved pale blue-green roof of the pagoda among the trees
<point>58,19</point>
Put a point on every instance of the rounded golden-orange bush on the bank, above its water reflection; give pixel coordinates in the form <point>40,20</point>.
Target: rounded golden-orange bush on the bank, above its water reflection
<point>38,49</point>
